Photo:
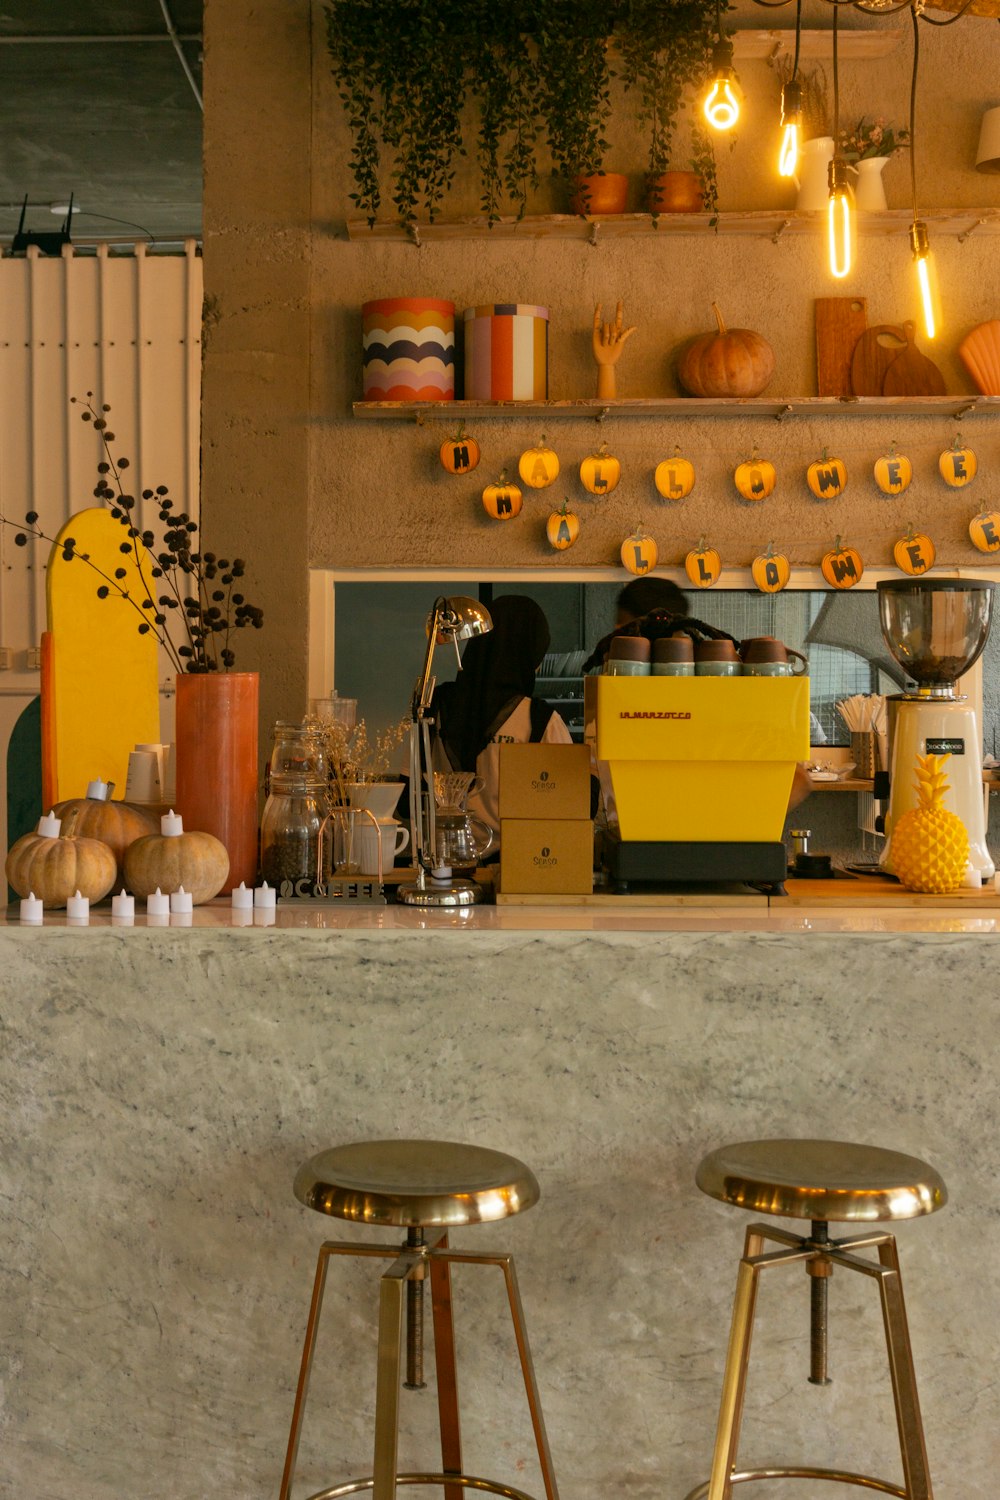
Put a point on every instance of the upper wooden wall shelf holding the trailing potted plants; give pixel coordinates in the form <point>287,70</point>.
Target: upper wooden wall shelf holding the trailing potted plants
<point>774,223</point>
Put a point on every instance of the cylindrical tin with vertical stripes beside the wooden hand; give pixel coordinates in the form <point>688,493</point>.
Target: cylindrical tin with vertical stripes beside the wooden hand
<point>507,353</point>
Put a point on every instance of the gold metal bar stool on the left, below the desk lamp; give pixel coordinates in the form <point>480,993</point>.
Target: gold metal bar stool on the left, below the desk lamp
<point>418,1186</point>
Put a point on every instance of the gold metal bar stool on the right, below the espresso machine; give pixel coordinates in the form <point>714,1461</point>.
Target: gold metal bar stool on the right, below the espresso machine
<point>822,1181</point>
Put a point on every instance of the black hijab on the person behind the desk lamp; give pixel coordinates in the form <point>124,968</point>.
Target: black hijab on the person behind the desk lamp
<point>499,670</point>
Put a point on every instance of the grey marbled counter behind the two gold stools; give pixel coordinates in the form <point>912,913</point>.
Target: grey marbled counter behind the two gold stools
<point>161,1087</point>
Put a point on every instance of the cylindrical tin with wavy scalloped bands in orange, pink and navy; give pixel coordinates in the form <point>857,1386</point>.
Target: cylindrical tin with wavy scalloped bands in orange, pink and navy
<point>409,349</point>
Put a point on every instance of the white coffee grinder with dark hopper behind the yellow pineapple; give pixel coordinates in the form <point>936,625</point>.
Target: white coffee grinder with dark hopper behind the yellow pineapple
<point>936,629</point>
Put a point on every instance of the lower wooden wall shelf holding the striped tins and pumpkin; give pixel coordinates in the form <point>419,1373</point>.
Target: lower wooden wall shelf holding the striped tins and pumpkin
<point>953,409</point>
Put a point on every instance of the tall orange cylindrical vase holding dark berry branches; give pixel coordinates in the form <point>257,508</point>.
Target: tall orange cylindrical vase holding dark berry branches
<point>217,763</point>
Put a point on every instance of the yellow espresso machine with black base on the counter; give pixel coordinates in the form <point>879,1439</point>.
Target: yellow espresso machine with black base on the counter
<point>698,773</point>
